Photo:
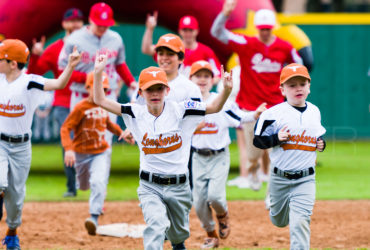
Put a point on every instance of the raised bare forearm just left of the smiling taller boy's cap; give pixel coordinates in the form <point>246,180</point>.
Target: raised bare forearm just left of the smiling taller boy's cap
<point>147,46</point>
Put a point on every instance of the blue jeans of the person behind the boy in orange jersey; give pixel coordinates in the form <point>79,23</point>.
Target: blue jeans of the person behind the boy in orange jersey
<point>60,114</point>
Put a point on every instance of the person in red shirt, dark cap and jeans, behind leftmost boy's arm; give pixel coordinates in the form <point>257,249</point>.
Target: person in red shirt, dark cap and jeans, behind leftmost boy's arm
<point>42,61</point>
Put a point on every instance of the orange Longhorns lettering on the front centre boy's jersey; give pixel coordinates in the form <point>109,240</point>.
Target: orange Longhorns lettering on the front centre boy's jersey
<point>159,145</point>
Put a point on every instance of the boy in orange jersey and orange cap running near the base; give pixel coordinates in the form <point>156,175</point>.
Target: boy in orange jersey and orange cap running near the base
<point>88,149</point>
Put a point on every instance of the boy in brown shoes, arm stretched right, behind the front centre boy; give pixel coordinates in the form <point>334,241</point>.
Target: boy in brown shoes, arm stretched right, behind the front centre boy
<point>211,158</point>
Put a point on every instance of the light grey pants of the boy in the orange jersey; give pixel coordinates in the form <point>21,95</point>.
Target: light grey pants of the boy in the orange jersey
<point>92,171</point>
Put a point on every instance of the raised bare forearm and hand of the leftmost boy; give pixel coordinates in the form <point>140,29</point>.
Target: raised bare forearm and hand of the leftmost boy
<point>62,80</point>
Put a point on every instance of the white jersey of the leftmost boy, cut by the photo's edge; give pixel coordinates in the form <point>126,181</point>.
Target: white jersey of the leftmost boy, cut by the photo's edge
<point>18,102</point>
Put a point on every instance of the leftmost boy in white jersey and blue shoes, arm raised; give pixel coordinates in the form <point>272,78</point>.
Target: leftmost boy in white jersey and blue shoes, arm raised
<point>20,95</point>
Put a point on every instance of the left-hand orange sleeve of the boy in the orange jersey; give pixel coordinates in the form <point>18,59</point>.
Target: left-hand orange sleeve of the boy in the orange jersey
<point>71,123</point>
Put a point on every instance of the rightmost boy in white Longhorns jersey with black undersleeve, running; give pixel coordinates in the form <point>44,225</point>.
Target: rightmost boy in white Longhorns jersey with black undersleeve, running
<point>294,132</point>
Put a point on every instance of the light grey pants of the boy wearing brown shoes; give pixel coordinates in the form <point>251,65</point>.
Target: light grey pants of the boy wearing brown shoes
<point>209,190</point>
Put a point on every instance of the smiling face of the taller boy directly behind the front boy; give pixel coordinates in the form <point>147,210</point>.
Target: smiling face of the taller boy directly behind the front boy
<point>168,60</point>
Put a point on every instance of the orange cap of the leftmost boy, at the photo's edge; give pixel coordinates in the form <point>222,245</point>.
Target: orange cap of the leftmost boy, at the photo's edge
<point>14,49</point>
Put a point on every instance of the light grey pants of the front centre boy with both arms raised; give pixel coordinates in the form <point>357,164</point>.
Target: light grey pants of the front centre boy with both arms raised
<point>166,211</point>
